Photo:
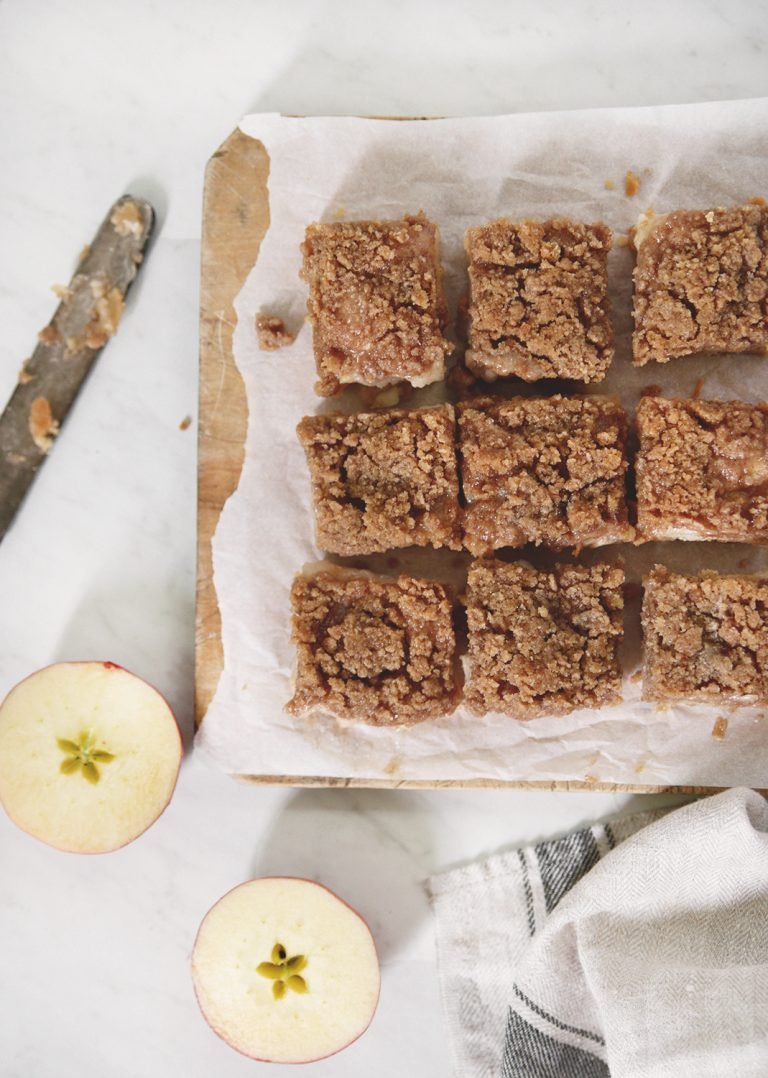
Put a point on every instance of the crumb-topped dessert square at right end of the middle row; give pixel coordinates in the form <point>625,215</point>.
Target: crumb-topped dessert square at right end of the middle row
<point>703,471</point>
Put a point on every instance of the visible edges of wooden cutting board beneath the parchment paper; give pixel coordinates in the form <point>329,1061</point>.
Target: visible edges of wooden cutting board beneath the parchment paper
<point>236,219</point>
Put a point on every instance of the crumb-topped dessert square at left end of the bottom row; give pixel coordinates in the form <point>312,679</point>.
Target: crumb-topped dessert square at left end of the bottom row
<point>374,649</point>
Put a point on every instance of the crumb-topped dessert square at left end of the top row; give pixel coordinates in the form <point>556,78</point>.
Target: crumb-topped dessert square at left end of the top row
<point>376,302</point>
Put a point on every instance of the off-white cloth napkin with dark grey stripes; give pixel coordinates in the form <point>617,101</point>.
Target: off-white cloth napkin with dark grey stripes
<point>577,960</point>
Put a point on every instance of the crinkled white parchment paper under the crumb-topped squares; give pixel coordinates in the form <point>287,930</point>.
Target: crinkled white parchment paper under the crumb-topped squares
<point>461,173</point>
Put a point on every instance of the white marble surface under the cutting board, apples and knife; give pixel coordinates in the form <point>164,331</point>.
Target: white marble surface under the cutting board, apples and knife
<point>99,99</point>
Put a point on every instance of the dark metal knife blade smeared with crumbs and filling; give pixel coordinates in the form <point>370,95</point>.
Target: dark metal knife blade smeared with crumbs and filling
<point>86,320</point>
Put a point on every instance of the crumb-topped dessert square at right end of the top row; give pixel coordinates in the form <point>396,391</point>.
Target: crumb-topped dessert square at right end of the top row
<point>701,283</point>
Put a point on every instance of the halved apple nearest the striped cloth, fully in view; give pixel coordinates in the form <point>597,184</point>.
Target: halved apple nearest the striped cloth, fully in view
<point>285,972</point>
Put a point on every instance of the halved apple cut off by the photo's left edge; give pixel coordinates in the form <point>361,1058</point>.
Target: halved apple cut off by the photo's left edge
<point>89,756</point>
